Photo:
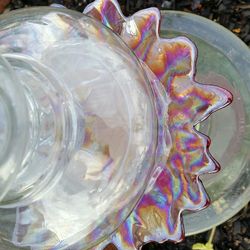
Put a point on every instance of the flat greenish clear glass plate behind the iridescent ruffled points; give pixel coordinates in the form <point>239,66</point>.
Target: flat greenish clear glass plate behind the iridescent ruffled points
<point>223,60</point>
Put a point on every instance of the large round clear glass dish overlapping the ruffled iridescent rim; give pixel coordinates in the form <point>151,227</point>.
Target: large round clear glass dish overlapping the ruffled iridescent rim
<point>91,129</point>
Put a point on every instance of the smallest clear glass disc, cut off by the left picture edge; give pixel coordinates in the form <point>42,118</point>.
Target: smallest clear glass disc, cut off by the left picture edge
<point>13,114</point>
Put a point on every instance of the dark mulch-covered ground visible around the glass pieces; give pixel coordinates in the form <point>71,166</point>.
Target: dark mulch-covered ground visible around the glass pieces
<point>235,15</point>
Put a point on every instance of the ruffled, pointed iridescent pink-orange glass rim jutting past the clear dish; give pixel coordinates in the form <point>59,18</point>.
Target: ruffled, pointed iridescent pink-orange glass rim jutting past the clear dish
<point>177,187</point>
